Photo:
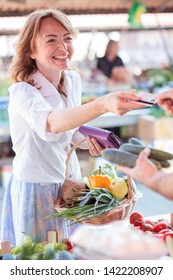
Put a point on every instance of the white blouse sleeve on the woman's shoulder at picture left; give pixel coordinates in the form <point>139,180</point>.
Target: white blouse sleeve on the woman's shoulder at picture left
<point>26,101</point>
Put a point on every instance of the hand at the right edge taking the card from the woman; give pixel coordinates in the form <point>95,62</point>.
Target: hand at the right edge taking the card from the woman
<point>165,100</point>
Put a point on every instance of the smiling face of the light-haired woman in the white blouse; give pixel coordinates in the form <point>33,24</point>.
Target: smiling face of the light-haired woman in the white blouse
<point>53,48</point>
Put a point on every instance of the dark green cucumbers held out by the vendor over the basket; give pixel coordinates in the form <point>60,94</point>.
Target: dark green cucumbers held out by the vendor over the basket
<point>128,153</point>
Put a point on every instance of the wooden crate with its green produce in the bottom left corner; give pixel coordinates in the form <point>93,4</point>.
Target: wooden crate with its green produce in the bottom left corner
<point>55,248</point>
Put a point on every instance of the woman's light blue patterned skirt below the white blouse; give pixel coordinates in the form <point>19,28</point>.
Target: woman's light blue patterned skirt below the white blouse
<point>24,209</point>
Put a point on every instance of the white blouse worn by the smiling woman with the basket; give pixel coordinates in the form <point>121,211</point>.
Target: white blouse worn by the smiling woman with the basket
<point>40,156</point>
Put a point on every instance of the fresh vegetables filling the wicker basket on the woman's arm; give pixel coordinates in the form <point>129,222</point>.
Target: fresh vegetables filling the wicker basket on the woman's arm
<point>103,191</point>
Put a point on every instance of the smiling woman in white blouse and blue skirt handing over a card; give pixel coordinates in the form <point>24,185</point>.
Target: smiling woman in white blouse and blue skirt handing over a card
<point>44,113</point>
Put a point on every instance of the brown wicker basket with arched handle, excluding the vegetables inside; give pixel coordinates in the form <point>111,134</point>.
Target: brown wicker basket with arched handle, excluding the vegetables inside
<point>120,212</point>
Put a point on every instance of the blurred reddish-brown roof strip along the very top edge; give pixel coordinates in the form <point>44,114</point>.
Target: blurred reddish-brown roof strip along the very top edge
<point>76,7</point>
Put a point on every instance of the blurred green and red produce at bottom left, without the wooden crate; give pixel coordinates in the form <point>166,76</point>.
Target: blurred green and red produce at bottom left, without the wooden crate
<point>29,250</point>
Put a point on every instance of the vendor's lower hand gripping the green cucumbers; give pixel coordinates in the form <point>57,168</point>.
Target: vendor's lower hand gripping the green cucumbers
<point>144,170</point>
